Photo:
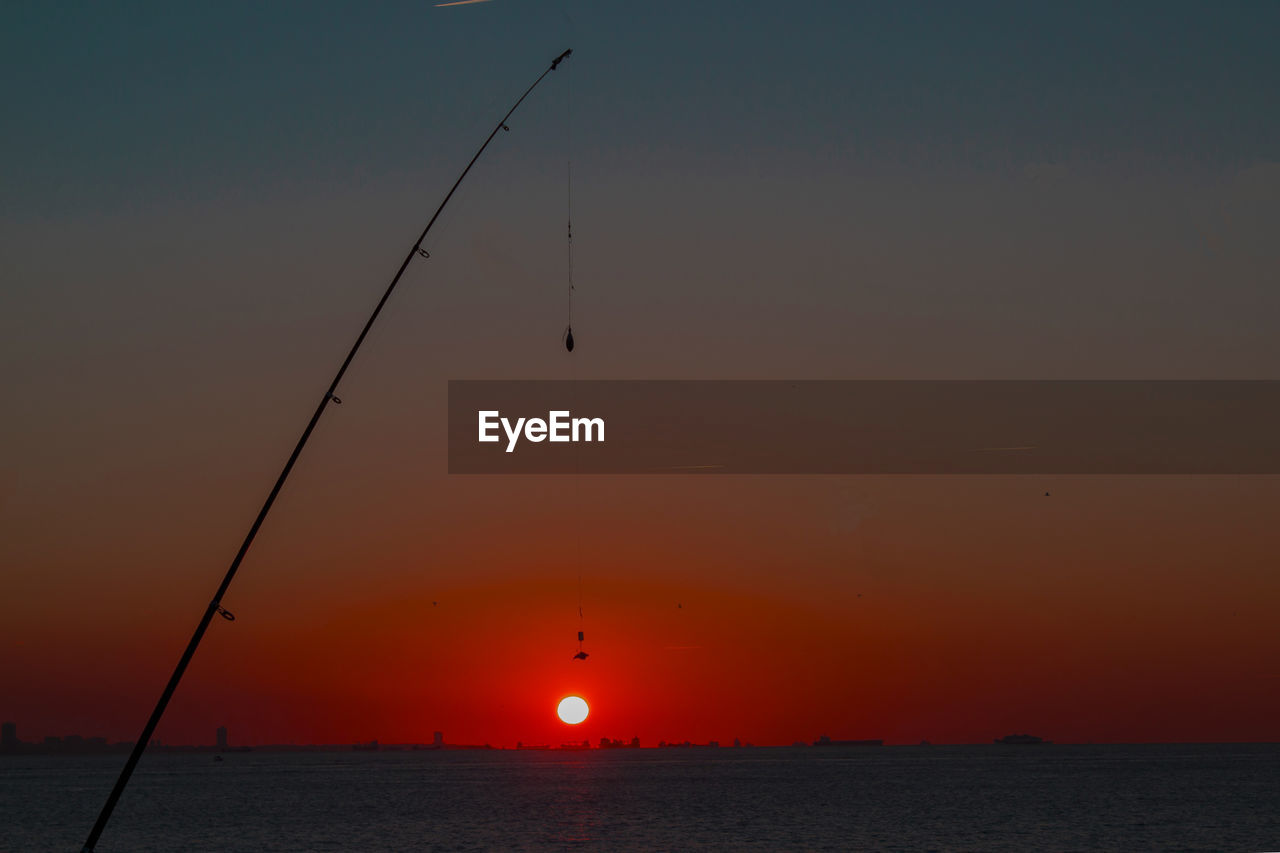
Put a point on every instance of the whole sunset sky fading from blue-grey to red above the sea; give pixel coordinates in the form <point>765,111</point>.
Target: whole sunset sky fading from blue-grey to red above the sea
<point>199,208</point>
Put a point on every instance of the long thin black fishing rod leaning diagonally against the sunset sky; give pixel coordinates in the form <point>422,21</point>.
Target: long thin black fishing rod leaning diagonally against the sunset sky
<point>216,605</point>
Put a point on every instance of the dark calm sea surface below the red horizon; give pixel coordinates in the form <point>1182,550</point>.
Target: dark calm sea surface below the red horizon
<point>893,799</point>
